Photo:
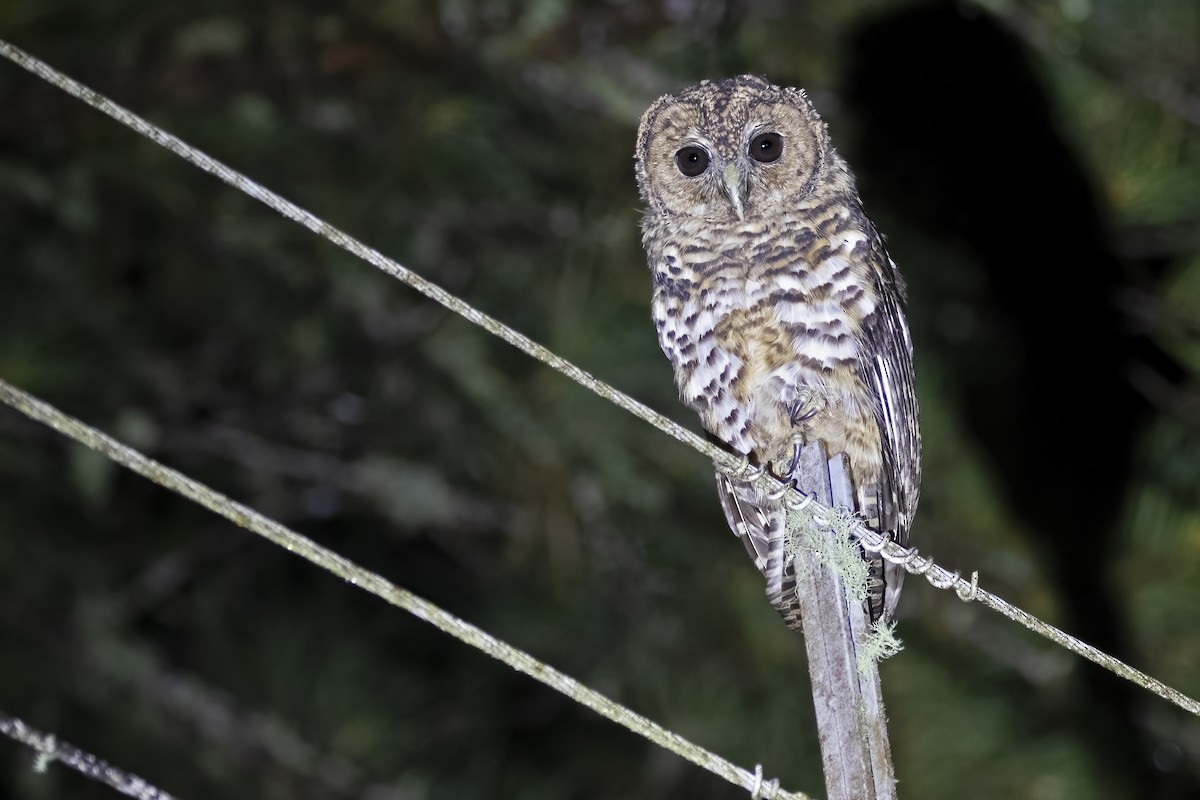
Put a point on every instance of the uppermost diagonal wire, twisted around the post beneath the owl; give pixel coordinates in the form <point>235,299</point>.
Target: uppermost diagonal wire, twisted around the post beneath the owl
<point>938,576</point>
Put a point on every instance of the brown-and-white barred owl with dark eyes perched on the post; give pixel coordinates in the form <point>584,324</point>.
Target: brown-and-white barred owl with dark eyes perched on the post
<point>781,311</point>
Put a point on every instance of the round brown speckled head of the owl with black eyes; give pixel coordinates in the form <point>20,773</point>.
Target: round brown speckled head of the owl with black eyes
<point>728,151</point>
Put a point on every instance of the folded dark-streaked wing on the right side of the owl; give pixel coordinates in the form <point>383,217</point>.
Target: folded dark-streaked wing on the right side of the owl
<point>886,364</point>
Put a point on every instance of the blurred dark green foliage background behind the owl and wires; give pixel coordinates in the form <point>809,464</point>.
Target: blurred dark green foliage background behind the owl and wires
<point>1035,166</point>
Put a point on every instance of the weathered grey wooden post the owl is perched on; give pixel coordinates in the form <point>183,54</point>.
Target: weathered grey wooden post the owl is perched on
<point>851,723</point>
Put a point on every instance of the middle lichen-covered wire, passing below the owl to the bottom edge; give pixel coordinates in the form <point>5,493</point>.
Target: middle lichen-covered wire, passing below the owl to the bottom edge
<point>380,587</point>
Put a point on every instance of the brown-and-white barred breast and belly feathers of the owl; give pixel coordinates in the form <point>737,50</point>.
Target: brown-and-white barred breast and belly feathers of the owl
<point>765,323</point>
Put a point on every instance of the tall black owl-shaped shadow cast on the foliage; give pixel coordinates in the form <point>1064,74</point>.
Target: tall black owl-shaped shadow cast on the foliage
<point>959,139</point>
